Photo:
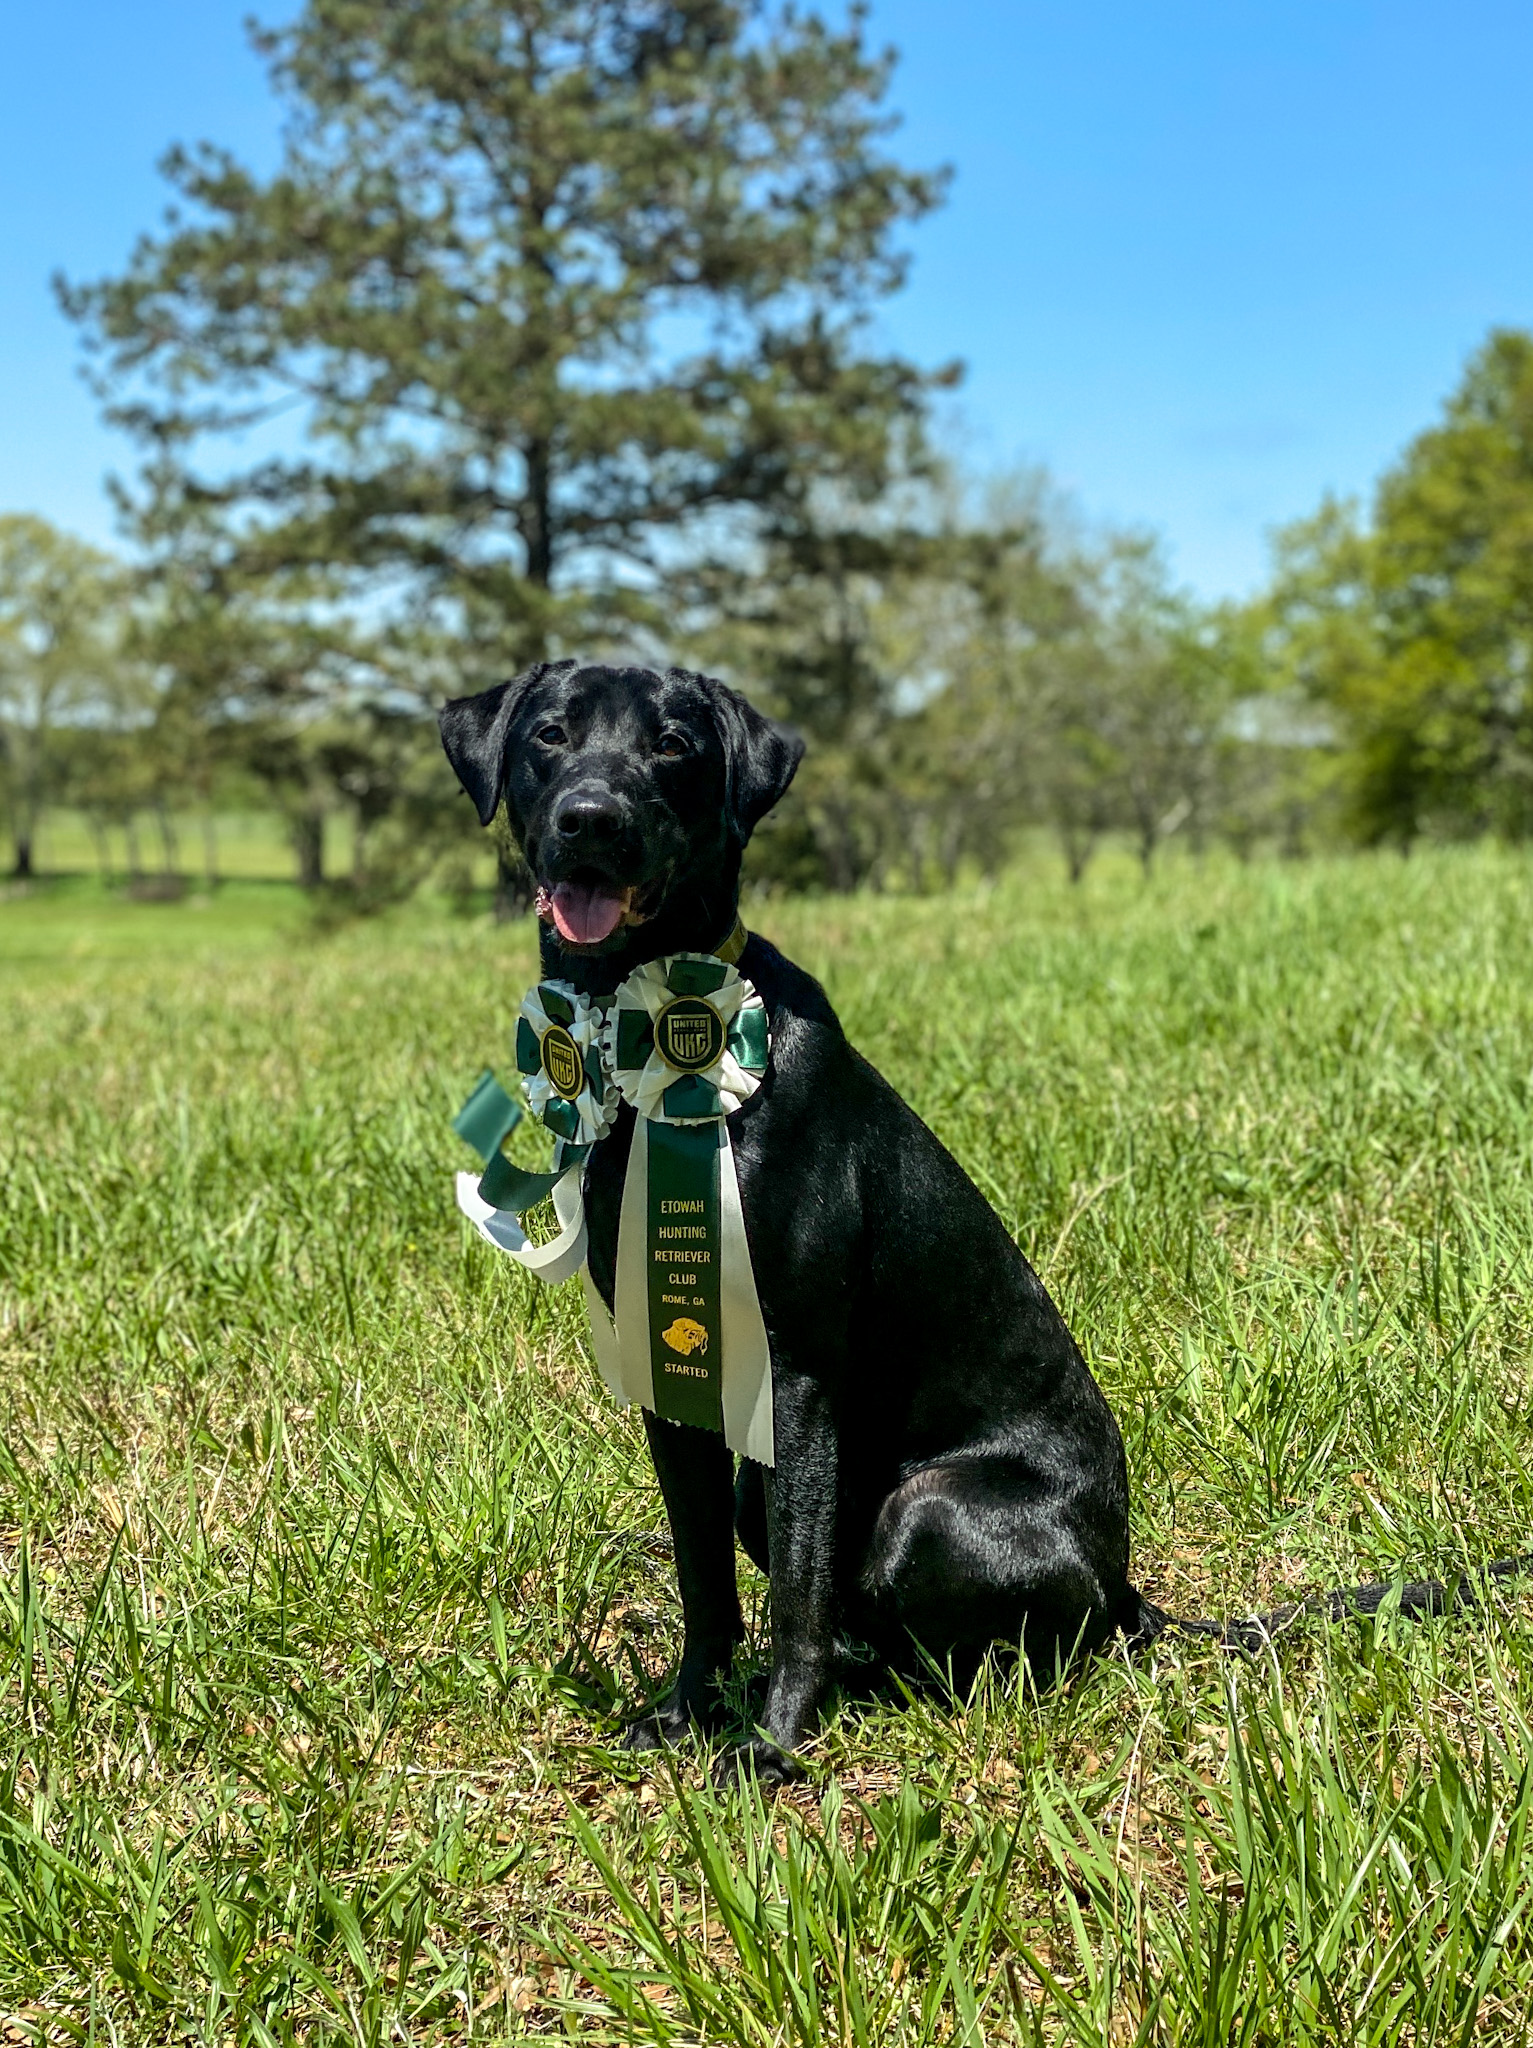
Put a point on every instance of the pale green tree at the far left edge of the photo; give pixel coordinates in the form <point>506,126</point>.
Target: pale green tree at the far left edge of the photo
<point>62,620</point>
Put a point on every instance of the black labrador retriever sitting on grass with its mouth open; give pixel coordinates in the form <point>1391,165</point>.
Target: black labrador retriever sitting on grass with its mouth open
<point>947,1467</point>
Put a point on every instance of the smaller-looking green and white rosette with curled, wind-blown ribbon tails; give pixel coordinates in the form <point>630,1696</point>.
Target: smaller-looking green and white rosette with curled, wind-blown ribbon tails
<point>568,1089</point>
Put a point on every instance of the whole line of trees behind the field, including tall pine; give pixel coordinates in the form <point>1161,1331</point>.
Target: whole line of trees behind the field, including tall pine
<point>554,333</point>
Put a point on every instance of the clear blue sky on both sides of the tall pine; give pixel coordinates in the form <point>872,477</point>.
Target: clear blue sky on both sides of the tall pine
<point>1204,261</point>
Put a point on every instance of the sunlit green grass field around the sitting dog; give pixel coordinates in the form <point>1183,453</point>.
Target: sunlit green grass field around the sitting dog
<point>326,1566</point>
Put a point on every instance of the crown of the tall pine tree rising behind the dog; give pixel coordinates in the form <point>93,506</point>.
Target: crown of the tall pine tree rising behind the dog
<point>560,292</point>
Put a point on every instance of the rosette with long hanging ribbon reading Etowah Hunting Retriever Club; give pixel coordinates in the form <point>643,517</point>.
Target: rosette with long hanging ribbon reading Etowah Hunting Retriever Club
<point>689,1046</point>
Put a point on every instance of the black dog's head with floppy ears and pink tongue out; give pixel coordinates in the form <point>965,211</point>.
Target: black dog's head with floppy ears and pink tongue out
<point>629,790</point>
